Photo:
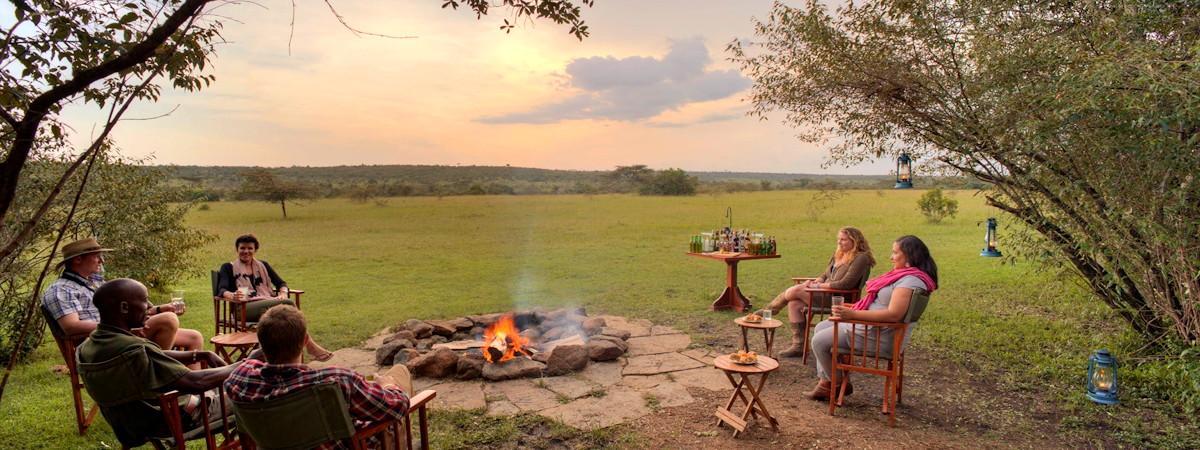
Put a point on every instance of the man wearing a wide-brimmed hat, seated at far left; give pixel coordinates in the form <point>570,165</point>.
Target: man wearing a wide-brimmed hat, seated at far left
<point>69,301</point>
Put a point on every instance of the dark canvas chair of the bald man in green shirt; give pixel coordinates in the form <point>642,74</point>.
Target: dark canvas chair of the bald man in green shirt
<point>136,421</point>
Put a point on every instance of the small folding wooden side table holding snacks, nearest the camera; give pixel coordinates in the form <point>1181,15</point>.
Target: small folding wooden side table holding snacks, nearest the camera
<point>755,406</point>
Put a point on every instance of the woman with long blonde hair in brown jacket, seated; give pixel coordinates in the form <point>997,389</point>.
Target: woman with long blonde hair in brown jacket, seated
<point>849,267</point>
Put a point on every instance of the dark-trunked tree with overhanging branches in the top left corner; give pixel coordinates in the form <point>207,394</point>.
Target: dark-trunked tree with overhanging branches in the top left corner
<point>111,55</point>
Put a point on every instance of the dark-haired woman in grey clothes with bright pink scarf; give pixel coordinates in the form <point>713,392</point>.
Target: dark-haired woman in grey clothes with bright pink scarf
<point>886,301</point>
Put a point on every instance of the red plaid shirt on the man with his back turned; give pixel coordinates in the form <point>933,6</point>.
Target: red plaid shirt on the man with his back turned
<point>369,403</point>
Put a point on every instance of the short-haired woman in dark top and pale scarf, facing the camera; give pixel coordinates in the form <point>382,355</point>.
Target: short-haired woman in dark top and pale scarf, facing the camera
<point>266,289</point>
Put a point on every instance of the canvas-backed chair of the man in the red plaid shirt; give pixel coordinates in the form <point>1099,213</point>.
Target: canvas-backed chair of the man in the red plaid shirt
<point>319,415</point>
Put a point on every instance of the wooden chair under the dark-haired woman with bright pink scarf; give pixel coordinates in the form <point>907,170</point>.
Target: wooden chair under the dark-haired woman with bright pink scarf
<point>867,355</point>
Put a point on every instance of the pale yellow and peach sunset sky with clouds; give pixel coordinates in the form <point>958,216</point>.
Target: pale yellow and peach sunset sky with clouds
<point>651,86</point>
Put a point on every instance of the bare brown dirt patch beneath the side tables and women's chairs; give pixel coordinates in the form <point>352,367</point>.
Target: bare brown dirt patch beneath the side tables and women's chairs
<point>943,410</point>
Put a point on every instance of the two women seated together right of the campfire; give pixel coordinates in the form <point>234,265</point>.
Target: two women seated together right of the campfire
<point>885,298</point>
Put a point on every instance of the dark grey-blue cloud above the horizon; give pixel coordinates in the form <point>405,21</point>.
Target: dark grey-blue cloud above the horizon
<point>634,88</point>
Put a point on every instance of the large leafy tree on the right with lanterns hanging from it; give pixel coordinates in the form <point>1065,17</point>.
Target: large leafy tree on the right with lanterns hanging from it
<point>1083,119</point>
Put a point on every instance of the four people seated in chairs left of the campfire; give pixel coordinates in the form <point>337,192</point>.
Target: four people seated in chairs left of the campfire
<point>124,328</point>
